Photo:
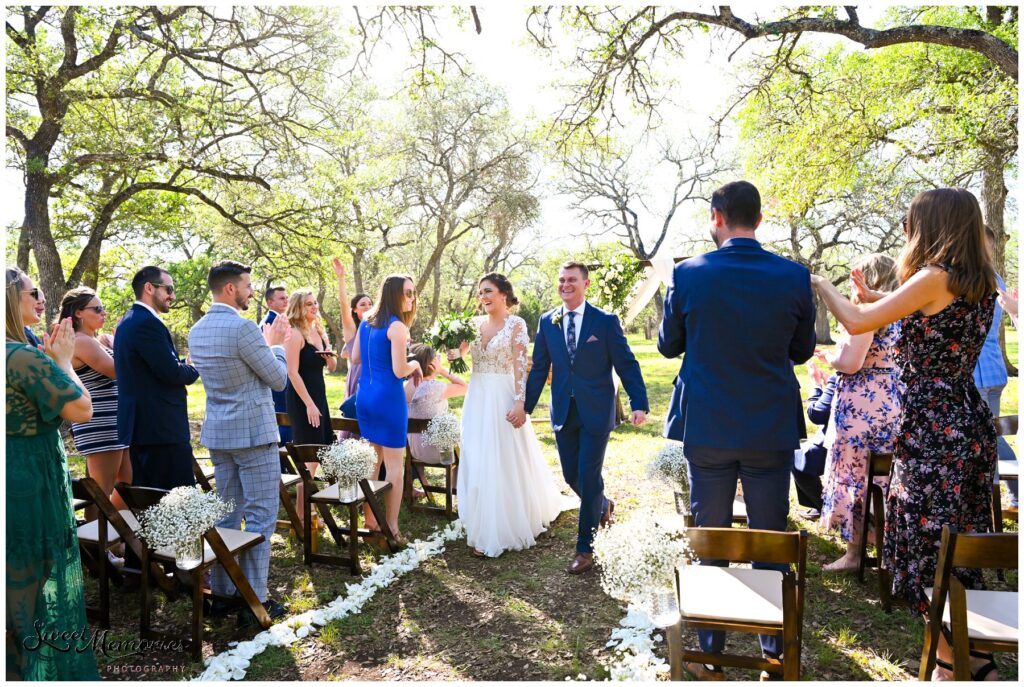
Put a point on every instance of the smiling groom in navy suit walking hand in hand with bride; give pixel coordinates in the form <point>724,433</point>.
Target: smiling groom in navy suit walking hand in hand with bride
<point>583,343</point>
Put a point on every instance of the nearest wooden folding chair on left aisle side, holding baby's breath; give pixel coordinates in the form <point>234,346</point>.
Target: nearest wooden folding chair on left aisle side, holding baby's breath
<point>221,546</point>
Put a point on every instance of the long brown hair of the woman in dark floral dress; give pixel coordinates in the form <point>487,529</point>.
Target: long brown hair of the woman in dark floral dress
<point>945,228</point>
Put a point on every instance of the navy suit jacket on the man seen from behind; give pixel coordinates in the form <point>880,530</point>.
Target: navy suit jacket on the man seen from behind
<point>743,317</point>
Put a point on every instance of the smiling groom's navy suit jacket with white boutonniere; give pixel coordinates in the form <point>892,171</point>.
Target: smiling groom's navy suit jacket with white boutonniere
<point>602,348</point>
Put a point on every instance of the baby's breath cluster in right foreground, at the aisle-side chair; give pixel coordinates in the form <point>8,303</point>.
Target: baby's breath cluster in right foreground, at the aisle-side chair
<point>641,555</point>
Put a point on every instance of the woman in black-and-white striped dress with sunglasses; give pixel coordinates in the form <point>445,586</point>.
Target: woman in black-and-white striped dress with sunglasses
<point>94,363</point>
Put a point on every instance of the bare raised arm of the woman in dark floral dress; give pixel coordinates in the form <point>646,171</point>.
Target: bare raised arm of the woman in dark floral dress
<point>922,292</point>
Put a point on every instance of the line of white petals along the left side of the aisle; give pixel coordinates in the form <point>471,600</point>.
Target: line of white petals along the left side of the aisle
<point>232,665</point>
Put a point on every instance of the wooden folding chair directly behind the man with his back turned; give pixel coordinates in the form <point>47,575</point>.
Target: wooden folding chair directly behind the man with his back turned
<point>735,599</point>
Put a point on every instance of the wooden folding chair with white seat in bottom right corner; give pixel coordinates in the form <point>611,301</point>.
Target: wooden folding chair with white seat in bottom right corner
<point>970,620</point>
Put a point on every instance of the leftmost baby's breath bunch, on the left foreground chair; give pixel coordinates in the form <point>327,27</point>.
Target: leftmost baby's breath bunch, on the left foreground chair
<point>181,519</point>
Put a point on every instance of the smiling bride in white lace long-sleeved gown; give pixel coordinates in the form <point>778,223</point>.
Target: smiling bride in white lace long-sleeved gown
<point>507,495</point>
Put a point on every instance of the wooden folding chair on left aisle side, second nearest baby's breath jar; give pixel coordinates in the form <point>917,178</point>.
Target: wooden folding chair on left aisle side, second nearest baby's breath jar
<point>324,499</point>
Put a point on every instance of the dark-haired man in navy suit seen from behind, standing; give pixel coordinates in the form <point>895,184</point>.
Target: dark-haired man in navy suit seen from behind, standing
<point>743,317</point>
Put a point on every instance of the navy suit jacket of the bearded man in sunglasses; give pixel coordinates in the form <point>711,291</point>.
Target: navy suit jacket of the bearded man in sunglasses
<point>152,379</point>
